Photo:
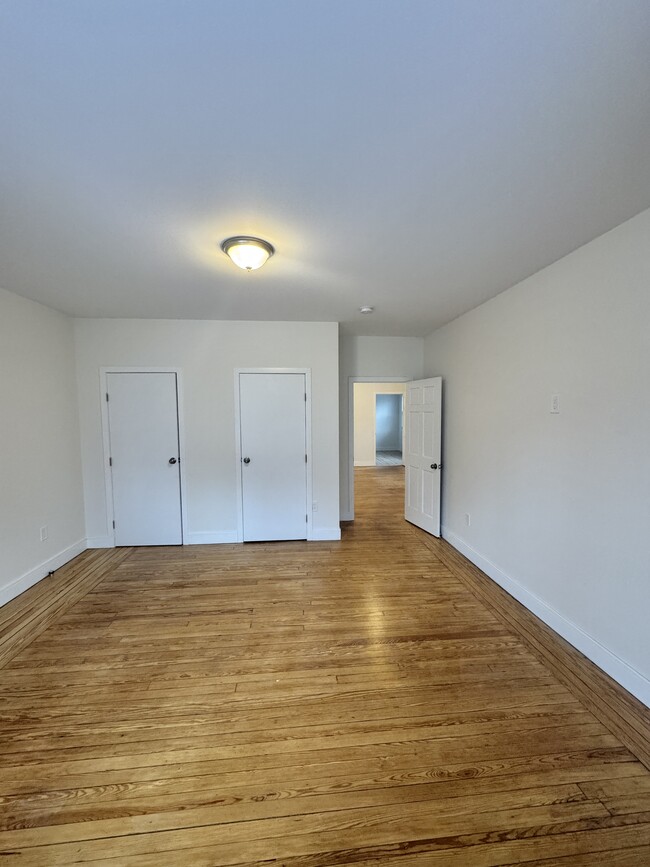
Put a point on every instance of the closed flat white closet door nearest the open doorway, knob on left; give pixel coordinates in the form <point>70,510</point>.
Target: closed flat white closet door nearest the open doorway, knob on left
<point>273,455</point>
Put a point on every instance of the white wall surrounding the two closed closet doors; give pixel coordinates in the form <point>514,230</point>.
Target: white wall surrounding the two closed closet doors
<point>208,353</point>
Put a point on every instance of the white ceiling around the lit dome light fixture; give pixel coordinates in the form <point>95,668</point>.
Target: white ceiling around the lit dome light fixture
<point>416,155</point>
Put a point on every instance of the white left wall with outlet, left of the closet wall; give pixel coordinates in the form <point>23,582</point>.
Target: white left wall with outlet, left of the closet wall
<point>40,467</point>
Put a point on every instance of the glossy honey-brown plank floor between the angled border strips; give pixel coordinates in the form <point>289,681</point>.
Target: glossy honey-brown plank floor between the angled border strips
<point>301,705</point>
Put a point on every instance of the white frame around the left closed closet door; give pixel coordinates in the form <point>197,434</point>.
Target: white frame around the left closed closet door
<point>106,442</point>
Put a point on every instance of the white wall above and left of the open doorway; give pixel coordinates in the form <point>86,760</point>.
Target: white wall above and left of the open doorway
<point>379,358</point>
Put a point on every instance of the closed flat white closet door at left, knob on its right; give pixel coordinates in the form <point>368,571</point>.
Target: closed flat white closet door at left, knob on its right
<point>145,465</point>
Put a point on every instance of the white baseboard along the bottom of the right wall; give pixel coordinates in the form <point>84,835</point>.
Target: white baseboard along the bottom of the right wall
<point>622,672</point>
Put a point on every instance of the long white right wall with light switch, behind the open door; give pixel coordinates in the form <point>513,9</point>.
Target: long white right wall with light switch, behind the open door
<point>559,504</point>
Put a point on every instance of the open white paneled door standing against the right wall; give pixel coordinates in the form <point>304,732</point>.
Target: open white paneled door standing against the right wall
<point>423,423</point>
